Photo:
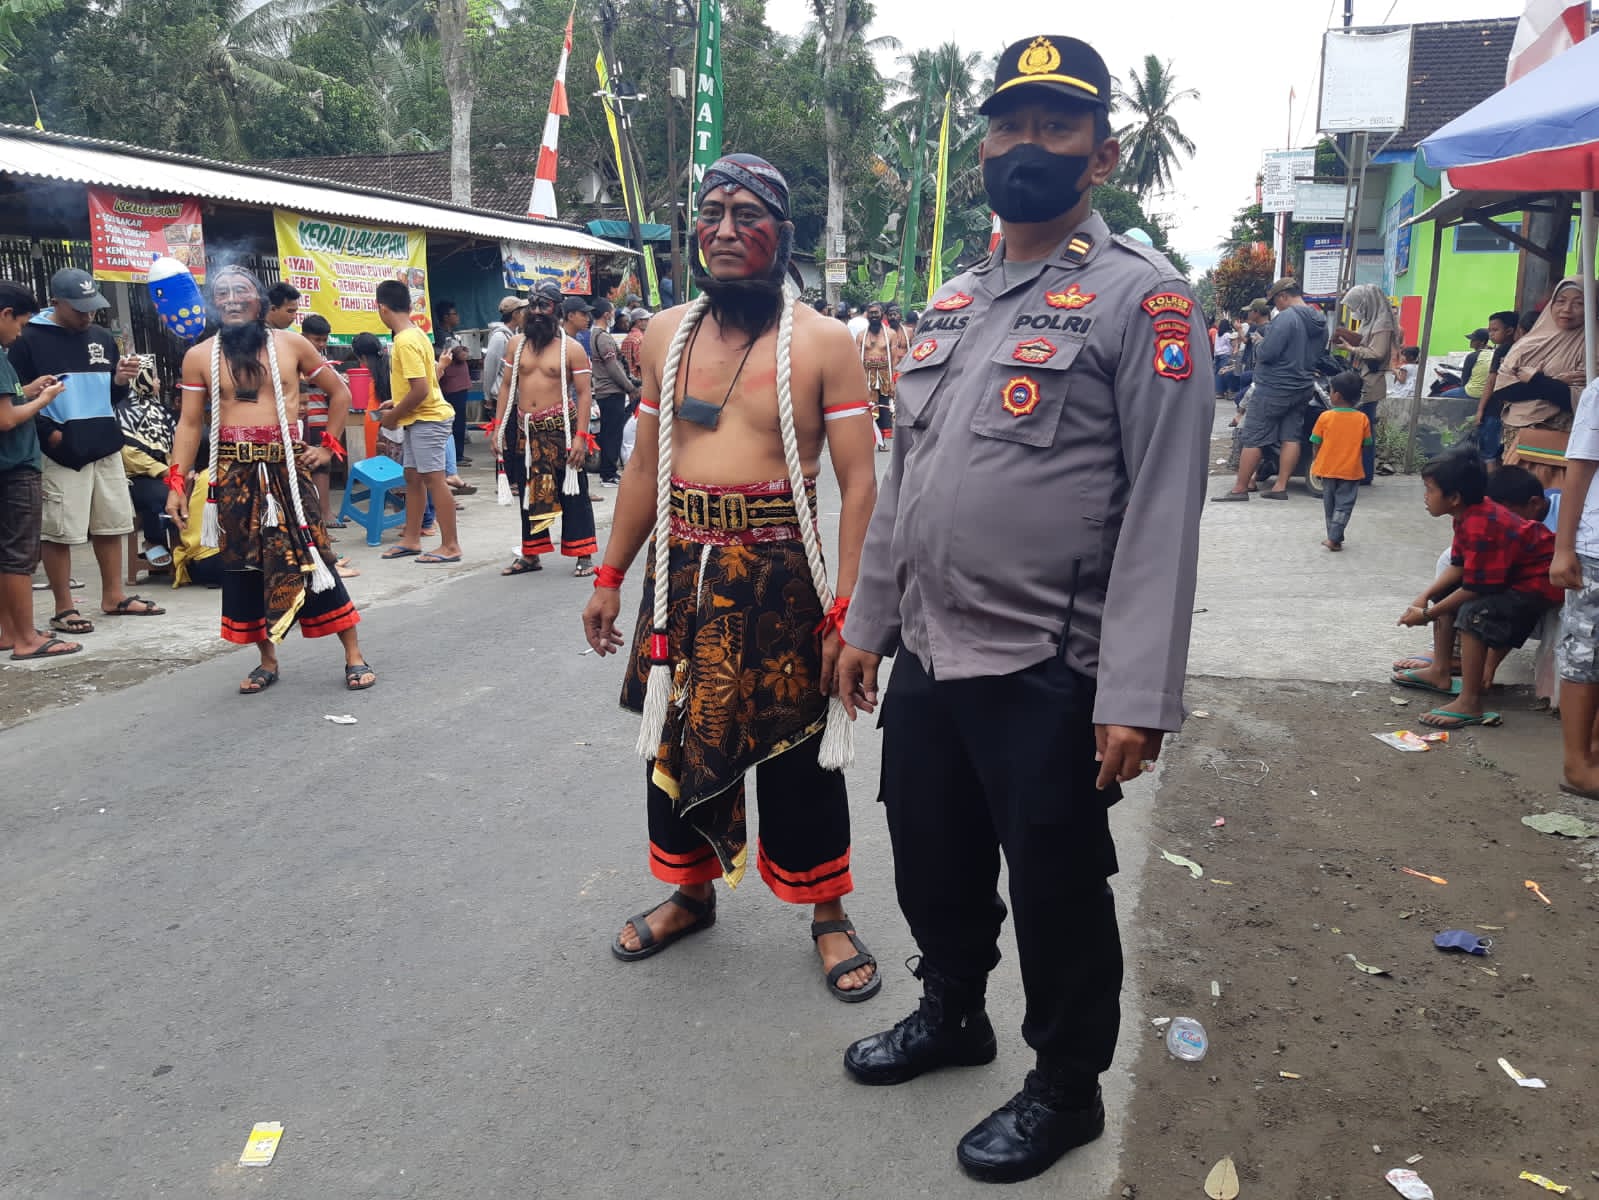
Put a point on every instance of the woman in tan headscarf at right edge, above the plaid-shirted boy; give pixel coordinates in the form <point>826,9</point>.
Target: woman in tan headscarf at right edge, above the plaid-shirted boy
<point>1555,351</point>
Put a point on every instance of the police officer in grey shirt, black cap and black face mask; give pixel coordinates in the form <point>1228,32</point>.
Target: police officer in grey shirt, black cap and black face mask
<point>1032,556</point>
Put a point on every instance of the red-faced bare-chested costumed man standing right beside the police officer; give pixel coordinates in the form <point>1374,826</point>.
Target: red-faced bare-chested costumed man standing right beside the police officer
<point>738,631</point>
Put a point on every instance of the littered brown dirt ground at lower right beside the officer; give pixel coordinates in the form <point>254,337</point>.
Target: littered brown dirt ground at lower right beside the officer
<point>1307,873</point>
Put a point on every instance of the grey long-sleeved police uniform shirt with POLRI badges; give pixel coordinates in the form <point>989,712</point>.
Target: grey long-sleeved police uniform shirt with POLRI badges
<point>1051,450</point>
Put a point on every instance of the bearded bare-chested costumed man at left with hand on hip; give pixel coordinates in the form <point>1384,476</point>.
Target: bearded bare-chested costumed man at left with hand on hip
<point>261,508</point>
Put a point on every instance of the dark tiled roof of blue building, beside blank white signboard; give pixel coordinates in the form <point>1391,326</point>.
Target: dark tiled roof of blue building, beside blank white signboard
<point>1454,66</point>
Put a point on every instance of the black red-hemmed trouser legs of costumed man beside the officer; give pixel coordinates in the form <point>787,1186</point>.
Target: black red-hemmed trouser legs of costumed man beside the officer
<point>803,833</point>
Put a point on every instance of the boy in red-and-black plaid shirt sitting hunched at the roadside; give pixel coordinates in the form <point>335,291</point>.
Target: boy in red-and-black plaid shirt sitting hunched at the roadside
<point>1494,591</point>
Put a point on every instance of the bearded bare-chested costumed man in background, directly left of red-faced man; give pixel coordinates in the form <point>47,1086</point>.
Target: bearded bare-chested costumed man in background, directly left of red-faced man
<point>543,438</point>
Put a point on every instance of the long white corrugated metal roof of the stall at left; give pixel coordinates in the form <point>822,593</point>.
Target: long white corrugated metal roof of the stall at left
<point>108,164</point>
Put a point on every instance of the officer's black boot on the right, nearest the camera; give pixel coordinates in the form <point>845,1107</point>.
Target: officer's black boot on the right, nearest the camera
<point>1034,1129</point>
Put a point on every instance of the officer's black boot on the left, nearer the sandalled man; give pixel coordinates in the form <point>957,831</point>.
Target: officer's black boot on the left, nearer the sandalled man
<point>949,1030</point>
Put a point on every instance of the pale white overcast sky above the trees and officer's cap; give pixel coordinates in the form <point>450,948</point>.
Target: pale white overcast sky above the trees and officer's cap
<point>1243,68</point>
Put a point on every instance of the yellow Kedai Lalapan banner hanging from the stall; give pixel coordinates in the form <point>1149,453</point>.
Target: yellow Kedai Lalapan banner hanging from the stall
<point>338,268</point>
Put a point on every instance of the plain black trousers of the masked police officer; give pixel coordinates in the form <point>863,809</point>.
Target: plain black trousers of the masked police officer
<point>1007,764</point>
